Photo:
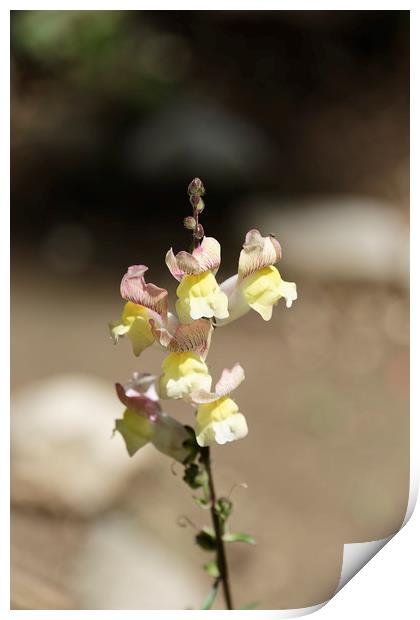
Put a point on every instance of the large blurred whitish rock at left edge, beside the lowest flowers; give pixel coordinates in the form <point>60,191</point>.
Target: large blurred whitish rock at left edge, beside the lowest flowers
<point>63,452</point>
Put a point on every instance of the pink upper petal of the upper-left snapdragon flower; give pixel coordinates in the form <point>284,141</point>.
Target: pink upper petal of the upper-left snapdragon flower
<point>134,288</point>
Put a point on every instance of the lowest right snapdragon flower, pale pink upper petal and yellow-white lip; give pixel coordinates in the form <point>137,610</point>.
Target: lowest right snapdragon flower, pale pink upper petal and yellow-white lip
<point>218,419</point>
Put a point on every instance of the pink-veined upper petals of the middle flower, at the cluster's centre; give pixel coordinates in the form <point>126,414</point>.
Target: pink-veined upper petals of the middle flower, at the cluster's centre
<point>195,336</point>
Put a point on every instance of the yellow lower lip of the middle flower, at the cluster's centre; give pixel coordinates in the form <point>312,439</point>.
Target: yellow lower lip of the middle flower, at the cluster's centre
<point>183,373</point>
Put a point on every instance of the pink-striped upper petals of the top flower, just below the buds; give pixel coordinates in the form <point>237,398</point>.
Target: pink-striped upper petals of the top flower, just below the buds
<point>206,257</point>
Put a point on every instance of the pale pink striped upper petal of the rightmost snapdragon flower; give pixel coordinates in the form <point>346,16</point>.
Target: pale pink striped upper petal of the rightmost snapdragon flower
<point>258,252</point>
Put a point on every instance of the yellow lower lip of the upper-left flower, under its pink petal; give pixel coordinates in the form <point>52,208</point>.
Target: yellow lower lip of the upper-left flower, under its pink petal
<point>133,323</point>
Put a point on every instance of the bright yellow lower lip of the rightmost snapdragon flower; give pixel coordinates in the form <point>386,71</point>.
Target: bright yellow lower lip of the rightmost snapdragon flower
<point>263,288</point>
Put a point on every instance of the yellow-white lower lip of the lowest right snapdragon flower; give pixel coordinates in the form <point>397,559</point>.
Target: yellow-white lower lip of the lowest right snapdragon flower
<point>220,422</point>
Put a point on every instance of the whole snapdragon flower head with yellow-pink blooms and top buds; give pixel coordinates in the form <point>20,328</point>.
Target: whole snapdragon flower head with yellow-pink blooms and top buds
<point>202,304</point>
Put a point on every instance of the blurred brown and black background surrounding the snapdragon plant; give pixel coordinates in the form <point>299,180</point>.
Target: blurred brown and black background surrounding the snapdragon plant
<point>298,124</point>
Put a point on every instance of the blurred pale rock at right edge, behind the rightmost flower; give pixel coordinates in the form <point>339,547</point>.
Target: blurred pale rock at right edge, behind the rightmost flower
<point>342,238</point>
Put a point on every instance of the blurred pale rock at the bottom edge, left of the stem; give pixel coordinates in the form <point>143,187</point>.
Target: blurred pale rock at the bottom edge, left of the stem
<point>125,565</point>
